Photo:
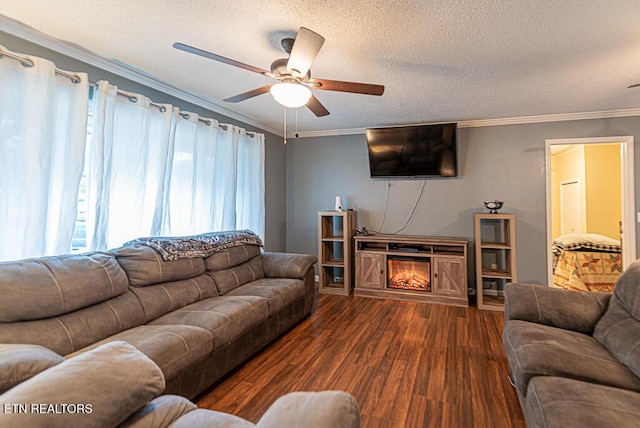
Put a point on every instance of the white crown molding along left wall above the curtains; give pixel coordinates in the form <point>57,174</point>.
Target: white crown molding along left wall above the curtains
<point>32,35</point>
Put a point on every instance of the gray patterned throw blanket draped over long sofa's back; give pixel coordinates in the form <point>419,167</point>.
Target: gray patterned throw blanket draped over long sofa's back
<point>203,245</point>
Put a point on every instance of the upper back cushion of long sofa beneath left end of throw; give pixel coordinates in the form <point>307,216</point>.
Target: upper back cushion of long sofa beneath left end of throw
<point>144,266</point>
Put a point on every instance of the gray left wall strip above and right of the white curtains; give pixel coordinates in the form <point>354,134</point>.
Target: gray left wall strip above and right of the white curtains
<point>275,197</point>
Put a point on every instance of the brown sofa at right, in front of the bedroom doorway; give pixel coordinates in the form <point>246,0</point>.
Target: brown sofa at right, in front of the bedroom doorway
<point>575,357</point>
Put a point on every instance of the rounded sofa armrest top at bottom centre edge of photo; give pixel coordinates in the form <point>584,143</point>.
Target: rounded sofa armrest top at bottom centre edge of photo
<point>330,409</point>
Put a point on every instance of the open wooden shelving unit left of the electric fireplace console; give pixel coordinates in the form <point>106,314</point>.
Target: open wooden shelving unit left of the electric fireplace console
<point>335,251</point>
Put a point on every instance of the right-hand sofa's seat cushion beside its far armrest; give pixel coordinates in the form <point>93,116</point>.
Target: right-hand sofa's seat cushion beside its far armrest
<point>540,350</point>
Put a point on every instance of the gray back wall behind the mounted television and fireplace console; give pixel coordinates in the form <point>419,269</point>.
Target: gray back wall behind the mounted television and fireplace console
<point>497,162</point>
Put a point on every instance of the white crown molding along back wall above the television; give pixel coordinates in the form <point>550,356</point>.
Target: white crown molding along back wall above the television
<point>605,114</point>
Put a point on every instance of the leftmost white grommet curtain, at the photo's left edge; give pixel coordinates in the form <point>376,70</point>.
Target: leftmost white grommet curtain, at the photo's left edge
<point>43,120</point>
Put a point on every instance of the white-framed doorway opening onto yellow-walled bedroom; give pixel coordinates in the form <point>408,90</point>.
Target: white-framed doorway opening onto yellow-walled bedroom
<point>620,221</point>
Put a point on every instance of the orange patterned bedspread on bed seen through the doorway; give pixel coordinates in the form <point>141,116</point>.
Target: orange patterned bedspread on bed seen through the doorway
<point>587,270</point>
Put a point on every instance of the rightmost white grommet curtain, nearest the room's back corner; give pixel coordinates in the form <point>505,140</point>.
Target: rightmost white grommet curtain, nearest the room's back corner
<point>216,180</point>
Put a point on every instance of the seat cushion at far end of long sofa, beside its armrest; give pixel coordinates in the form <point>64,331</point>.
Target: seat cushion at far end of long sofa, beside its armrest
<point>279,292</point>
